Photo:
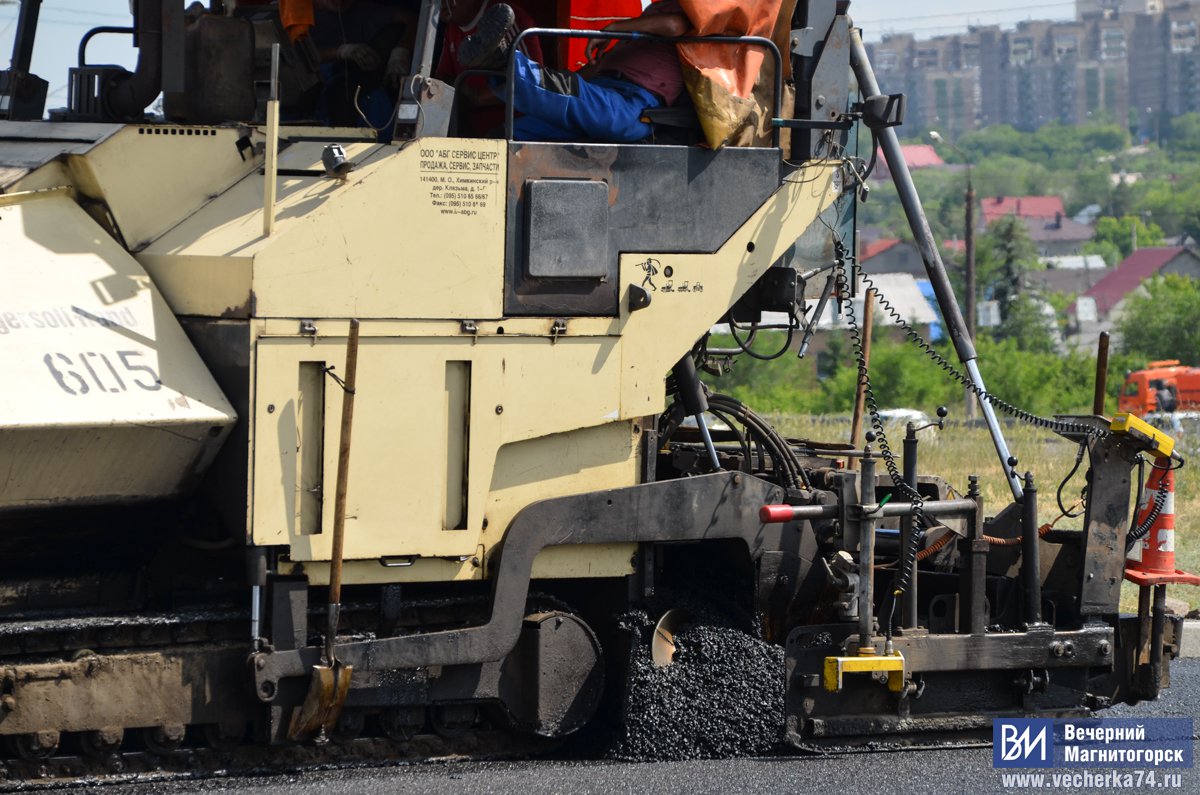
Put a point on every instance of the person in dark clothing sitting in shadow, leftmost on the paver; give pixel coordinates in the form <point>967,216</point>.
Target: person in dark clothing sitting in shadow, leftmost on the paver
<point>367,50</point>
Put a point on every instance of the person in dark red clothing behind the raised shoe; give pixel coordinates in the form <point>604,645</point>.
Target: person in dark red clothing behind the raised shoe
<point>483,110</point>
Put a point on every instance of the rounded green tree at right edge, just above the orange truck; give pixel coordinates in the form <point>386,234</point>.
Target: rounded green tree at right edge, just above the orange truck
<point>1162,321</point>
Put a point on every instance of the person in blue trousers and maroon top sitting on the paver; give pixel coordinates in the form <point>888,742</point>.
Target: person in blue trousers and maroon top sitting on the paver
<point>603,101</point>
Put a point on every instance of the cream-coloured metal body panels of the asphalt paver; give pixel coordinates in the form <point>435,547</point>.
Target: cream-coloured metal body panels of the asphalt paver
<point>465,416</point>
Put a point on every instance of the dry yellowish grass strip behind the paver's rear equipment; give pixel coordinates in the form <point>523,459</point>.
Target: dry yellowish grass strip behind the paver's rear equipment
<point>961,451</point>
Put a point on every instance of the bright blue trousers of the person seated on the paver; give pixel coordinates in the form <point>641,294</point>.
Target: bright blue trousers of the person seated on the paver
<point>569,109</point>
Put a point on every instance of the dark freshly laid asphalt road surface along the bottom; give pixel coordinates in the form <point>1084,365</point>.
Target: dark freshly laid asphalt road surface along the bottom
<point>937,773</point>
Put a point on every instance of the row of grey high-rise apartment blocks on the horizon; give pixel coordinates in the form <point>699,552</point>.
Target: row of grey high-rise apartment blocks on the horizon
<point>1118,62</point>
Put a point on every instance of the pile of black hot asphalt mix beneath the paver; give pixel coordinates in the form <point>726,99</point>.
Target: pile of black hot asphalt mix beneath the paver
<point>723,697</point>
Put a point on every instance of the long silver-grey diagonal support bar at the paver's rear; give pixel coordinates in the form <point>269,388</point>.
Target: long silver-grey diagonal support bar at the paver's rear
<point>925,238</point>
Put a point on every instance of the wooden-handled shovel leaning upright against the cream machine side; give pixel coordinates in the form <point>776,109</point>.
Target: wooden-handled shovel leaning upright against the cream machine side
<point>332,683</point>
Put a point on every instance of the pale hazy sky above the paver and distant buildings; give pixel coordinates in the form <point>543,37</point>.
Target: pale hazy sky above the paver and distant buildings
<point>64,22</point>
